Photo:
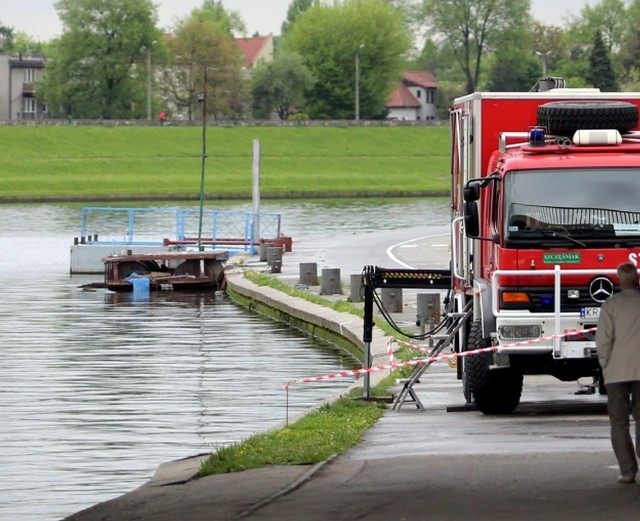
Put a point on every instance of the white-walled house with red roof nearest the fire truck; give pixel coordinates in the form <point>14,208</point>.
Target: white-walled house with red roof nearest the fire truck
<point>414,97</point>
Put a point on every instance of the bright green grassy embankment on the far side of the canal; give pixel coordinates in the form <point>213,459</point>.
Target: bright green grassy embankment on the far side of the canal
<point>136,163</point>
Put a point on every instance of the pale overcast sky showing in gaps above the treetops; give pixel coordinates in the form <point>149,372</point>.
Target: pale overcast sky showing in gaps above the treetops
<point>38,18</point>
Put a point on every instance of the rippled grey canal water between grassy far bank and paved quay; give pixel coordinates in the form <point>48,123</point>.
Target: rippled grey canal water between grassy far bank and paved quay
<point>98,389</point>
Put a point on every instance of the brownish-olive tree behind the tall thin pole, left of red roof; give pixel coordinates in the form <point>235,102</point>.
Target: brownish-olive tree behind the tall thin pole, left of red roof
<point>203,43</point>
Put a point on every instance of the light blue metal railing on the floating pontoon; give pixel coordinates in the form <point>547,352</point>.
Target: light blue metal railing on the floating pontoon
<point>158,226</point>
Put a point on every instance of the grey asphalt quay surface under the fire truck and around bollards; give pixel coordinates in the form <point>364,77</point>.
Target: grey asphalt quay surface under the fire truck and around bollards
<point>550,460</point>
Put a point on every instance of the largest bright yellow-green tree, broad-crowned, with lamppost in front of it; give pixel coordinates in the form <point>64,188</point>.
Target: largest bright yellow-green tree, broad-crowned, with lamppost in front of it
<point>330,37</point>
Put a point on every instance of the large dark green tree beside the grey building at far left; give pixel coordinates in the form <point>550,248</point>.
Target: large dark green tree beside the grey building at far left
<point>95,68</point>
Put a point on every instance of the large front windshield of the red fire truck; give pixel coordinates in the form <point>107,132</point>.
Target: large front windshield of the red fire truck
<point>576,207</point>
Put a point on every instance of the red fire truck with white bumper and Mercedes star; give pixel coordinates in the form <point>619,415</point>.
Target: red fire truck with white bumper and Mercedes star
<point>546,205</point>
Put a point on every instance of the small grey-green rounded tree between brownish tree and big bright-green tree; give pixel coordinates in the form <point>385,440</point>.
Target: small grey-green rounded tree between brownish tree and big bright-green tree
<point>280,85</point>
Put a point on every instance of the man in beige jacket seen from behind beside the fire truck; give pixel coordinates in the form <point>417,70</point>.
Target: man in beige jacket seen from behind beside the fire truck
<point>618,342</point>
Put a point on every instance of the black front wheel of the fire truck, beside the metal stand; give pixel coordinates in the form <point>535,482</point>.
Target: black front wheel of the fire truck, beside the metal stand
<point>495,391</point>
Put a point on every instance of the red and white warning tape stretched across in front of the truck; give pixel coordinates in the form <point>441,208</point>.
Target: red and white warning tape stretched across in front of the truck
<point>431,359</point>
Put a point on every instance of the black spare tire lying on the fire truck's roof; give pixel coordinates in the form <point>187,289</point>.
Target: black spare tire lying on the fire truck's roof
<point>563,118</point>
